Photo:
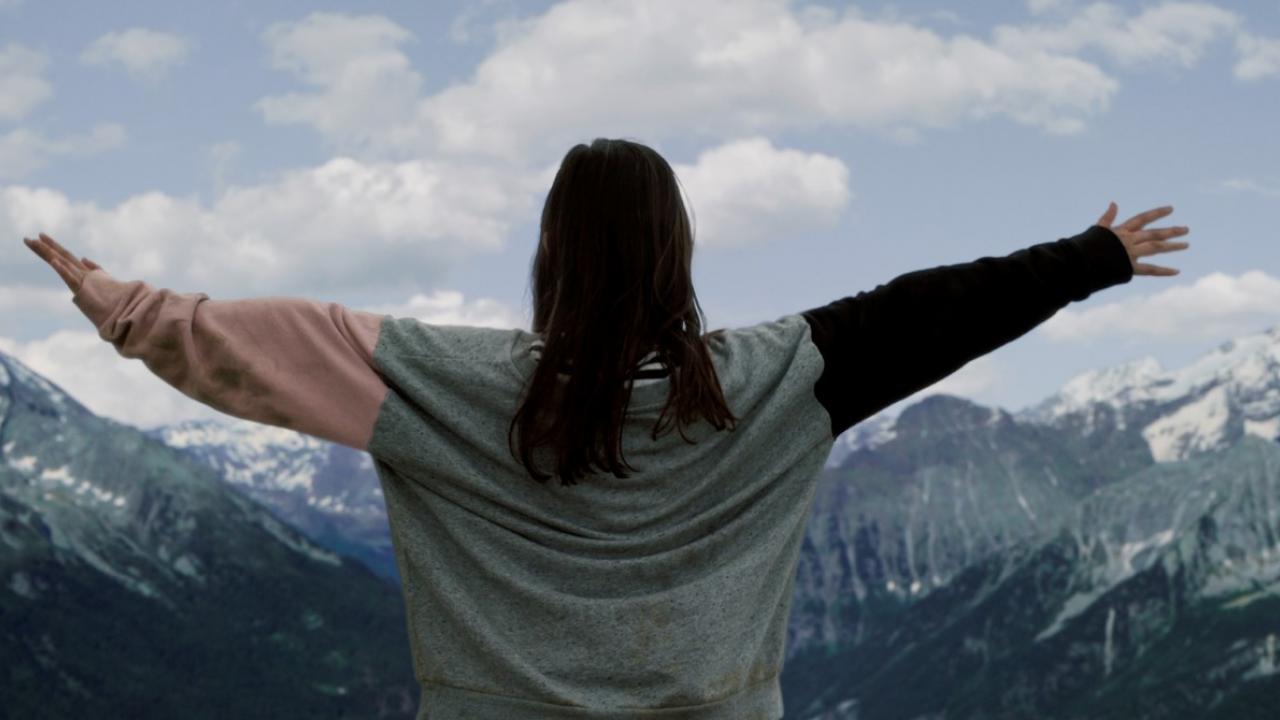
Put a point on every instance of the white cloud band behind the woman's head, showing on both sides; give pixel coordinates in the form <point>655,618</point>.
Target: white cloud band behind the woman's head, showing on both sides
<point>392,226</point>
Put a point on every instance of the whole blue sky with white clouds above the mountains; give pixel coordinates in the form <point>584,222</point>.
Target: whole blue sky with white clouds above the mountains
<point>395,157</point>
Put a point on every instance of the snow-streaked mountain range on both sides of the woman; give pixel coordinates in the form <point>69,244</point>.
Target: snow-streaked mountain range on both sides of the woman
<point>1110,552</point>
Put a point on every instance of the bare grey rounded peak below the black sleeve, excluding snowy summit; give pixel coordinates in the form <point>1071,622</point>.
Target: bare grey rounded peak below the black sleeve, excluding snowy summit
<point>956,484</point>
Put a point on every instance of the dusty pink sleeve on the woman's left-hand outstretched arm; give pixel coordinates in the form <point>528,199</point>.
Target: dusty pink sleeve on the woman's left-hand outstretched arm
<point>284,362</point>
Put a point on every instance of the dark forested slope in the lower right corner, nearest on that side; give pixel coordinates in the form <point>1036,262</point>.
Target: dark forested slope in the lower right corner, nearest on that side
<point>1155,598</point>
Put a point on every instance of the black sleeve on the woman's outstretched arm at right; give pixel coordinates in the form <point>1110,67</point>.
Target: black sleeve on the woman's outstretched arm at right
<point>886,344</point>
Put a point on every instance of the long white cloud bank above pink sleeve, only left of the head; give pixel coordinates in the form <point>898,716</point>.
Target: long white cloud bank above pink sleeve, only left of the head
<point>344,225</point>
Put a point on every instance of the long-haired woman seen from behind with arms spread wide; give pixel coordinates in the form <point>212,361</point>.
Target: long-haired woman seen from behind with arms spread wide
<point>664,589</point>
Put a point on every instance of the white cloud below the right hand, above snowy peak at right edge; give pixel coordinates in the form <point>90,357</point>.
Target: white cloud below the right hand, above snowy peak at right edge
<point>1214,307</point>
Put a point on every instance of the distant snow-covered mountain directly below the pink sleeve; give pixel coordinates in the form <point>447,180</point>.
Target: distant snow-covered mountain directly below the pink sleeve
<point>328,491</point>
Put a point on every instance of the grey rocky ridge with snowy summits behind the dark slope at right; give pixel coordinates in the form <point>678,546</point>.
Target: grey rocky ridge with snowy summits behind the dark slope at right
<point>916,498</point>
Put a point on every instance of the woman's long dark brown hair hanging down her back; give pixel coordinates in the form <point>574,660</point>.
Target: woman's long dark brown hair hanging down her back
<point>612,282</point>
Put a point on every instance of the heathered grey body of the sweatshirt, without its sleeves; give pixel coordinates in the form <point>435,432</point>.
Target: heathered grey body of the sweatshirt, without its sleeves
<point>670,589</point>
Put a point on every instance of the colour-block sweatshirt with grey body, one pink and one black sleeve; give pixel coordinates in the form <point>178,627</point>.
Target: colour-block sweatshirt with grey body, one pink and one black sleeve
<point>665,595</point>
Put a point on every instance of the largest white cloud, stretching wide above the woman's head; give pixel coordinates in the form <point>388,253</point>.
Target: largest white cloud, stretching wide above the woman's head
<point>666,69</point>
